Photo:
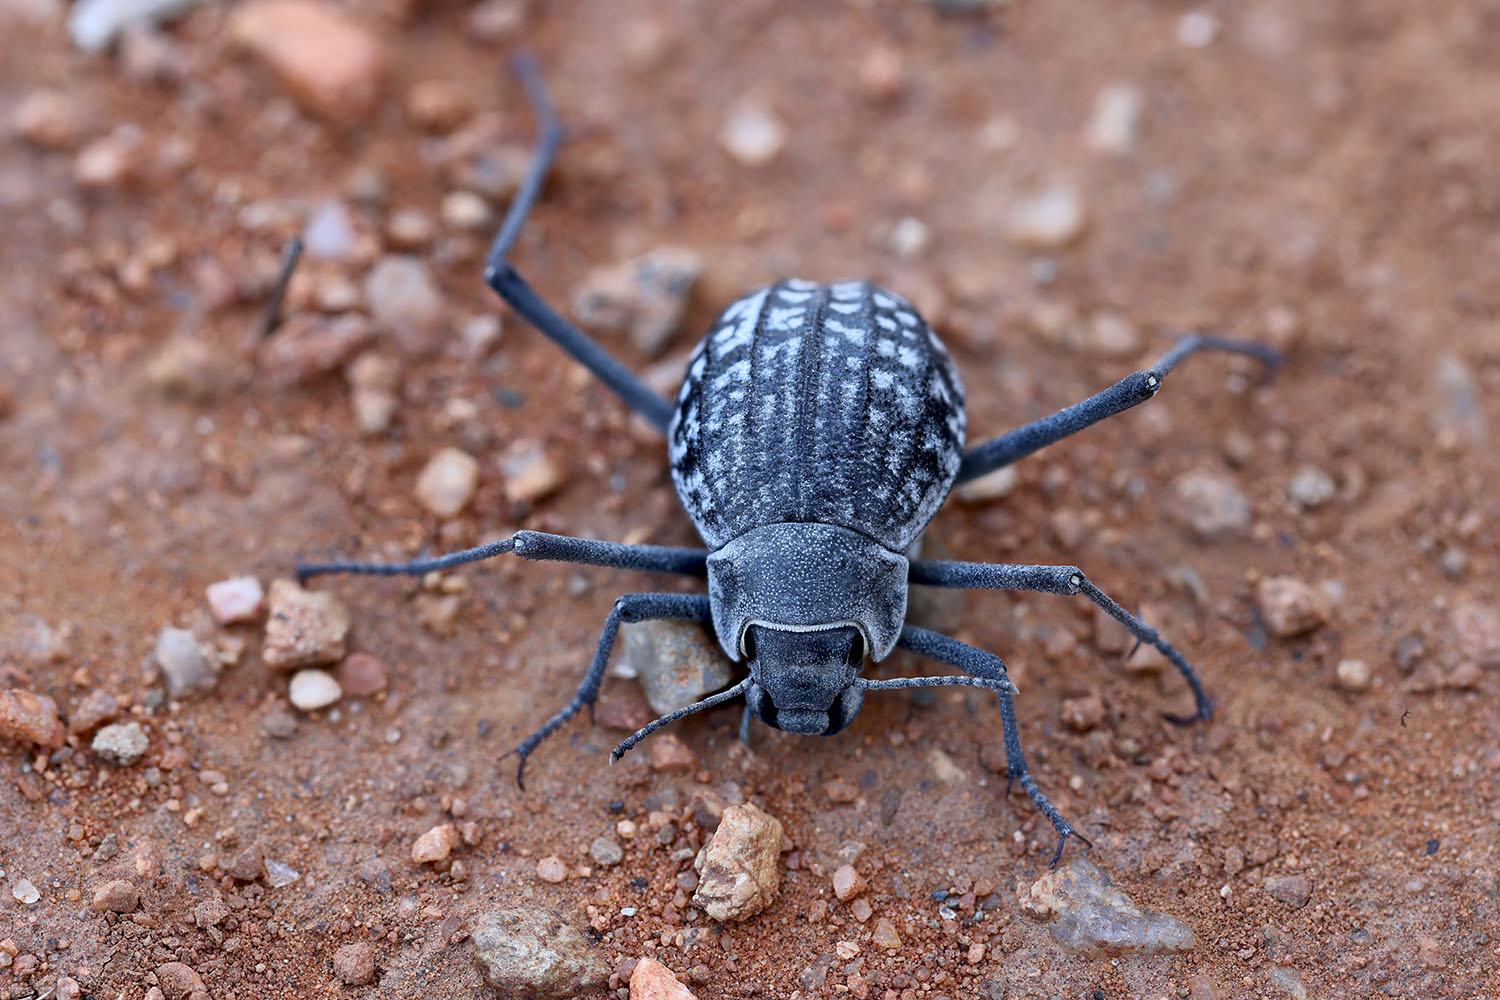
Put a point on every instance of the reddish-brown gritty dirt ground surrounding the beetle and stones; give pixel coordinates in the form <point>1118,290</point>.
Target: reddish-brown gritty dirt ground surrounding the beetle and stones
<point>1325,176</point>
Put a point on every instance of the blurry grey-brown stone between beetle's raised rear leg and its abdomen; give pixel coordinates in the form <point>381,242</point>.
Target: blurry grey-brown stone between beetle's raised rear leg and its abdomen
<point>644,298</point>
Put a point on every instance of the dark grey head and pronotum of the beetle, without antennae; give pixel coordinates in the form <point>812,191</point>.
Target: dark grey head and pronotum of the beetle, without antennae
<point>805,605</point>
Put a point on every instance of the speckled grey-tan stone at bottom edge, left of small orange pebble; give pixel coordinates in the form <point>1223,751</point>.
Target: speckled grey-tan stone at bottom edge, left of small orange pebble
<point>535,954</point>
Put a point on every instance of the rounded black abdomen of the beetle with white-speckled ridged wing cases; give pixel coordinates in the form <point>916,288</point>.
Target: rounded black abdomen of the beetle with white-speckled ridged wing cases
<point>830,404</point>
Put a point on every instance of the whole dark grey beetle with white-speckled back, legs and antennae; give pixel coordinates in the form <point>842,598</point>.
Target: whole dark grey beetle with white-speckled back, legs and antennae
<point>817,433</point>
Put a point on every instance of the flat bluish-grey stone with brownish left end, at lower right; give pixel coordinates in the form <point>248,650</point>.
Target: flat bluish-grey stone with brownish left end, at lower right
<point>1087,914</point>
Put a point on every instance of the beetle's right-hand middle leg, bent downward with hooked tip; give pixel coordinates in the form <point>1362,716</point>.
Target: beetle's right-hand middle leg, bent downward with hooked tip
<point>1067,581</point>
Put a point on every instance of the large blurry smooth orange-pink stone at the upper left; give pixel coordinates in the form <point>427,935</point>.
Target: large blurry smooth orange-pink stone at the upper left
<point>329,62</point>
